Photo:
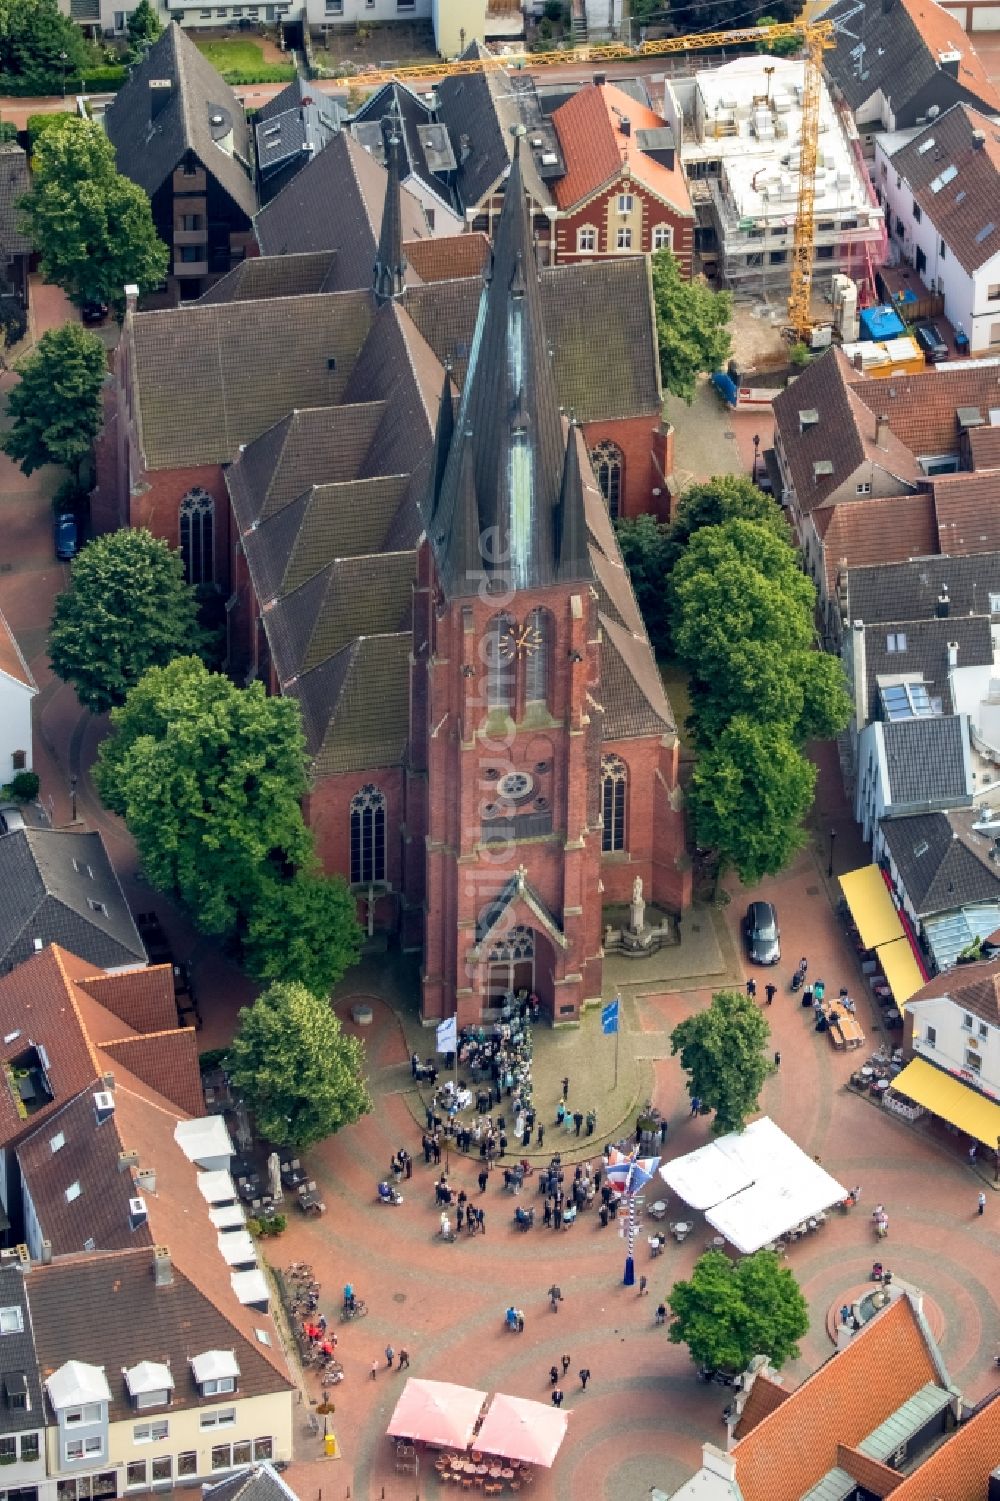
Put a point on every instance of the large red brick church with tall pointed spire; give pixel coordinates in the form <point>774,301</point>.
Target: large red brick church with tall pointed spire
<point>417,549</point>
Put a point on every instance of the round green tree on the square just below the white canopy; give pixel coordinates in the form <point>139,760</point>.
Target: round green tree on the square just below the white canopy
<point>732,1311</point>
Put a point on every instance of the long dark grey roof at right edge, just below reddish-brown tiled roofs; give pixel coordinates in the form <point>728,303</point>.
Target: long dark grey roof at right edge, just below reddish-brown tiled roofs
<point>911,591</point>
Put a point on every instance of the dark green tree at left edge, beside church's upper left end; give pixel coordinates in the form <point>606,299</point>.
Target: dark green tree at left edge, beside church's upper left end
<point>56,406</point>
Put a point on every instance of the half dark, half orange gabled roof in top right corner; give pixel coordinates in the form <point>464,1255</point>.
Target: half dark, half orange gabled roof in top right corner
<point>896,49</point>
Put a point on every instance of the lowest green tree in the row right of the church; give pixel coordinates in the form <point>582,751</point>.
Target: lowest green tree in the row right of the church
<point>748,796</point>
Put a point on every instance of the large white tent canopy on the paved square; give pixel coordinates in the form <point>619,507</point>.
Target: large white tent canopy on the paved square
<point>753,1185</point>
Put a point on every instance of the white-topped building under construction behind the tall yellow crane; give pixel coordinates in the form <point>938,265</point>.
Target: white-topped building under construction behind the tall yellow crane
<point>742,133</point>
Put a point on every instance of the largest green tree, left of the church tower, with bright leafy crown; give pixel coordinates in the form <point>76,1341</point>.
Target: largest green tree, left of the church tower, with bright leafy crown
<point>209,778</point>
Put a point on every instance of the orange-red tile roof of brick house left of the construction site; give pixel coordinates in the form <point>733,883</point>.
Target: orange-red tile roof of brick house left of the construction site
<point>597,152</point>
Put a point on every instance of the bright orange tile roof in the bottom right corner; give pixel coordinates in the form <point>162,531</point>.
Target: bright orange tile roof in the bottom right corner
<point>846,1400</point>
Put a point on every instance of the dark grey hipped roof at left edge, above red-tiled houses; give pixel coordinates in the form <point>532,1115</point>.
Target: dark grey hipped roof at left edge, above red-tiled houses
<point>43,897</point>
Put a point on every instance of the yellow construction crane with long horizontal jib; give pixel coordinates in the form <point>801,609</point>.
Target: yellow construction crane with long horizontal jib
<point>816,37</point>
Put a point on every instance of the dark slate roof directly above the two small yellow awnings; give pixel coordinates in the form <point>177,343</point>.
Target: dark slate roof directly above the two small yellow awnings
<point>942,864</point>
